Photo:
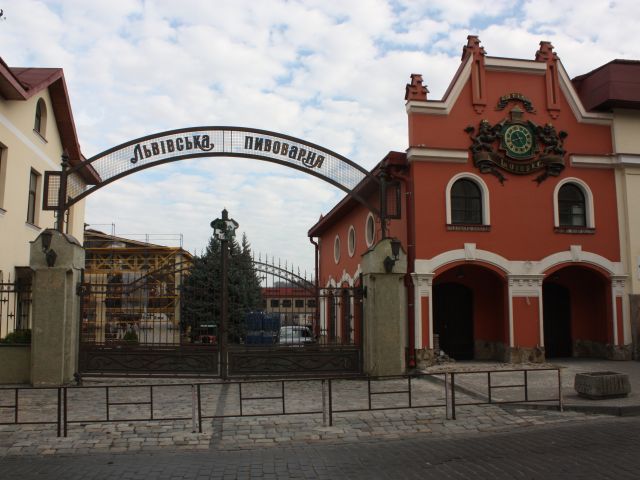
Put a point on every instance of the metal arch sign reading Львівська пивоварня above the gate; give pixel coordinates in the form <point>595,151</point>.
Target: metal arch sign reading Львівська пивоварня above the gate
<point>174,145</point>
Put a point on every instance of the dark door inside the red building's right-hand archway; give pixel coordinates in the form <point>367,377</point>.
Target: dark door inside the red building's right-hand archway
<point>557,321</point>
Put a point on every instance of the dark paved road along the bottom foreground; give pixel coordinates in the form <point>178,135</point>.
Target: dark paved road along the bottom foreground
<point>605,448</point>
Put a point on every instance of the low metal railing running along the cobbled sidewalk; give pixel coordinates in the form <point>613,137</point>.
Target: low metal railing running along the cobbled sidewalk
<point>196,402</point>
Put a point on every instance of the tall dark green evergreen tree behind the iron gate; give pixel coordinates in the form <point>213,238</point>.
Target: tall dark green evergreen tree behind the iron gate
<point>202,293</point>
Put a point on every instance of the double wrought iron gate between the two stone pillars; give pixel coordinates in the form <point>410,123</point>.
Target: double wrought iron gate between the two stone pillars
<point>159,320</point>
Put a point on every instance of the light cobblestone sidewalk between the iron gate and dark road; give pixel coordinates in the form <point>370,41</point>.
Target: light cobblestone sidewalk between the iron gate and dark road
<point>264,430</point>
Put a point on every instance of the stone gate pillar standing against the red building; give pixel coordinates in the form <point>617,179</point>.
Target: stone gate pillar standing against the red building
<point>385,312</point>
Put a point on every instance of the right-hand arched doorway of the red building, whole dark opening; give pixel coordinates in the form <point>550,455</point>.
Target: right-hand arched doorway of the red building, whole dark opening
<point>577,312</point>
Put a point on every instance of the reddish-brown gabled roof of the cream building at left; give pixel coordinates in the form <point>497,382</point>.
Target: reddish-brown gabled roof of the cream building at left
<point>23,83</point>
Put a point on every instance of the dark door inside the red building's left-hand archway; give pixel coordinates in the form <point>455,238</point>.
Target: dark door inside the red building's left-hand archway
<point>453,319</point>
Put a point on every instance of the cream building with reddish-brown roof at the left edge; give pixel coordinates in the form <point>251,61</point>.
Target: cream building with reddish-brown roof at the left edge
<point>36,126</point>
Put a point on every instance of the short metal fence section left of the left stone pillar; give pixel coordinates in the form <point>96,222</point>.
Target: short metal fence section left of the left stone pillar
<point>15,308</point>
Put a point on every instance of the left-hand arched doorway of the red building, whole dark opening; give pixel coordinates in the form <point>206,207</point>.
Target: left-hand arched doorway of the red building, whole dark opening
<point>469,312</point>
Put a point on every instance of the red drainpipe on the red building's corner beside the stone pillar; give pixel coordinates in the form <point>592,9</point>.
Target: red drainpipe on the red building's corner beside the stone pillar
<point>411,257</point>
